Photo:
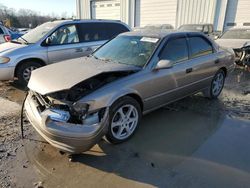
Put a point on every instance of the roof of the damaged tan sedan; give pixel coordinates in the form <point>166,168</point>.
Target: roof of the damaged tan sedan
<point>158,33</point>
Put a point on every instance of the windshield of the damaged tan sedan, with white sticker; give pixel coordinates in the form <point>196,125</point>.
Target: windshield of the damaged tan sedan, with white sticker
<point>130,50</point>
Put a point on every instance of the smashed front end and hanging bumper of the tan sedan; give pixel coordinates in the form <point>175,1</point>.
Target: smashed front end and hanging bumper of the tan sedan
<point>65,121</point>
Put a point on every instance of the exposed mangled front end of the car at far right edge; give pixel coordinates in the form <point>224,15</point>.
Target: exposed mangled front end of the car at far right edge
<point>242,56</point>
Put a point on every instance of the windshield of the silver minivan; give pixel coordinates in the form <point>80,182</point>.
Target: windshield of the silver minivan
<point>39,32</point>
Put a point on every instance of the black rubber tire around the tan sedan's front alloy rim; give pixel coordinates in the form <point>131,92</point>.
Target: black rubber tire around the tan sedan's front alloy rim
<point>113,109</point>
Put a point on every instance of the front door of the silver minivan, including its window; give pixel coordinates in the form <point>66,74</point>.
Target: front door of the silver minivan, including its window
<point>64,44</point>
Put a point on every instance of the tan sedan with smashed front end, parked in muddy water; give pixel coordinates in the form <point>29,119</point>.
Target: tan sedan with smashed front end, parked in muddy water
<point>75,103</point>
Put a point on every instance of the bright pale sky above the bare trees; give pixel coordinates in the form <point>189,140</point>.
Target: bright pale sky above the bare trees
<point>44,7</point>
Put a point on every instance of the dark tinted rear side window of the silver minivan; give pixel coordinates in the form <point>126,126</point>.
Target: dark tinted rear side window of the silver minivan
<point>89,32</point>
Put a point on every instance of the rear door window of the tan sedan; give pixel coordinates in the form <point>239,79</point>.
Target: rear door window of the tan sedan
<point>199,47</point>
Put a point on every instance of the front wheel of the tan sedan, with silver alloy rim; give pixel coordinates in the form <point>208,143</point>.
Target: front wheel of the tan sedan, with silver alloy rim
<point>125,116</point>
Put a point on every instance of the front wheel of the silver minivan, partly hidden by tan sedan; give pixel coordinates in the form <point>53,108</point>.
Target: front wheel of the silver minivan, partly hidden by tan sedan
<point>24,70</point>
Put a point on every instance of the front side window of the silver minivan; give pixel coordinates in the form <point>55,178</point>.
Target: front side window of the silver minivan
<point>65,35</point>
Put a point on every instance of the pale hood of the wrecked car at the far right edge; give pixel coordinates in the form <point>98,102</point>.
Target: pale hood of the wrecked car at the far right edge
<point>233,43</point>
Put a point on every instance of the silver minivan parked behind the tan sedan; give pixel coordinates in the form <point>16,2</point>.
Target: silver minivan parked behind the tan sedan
<point>52,42</point>
